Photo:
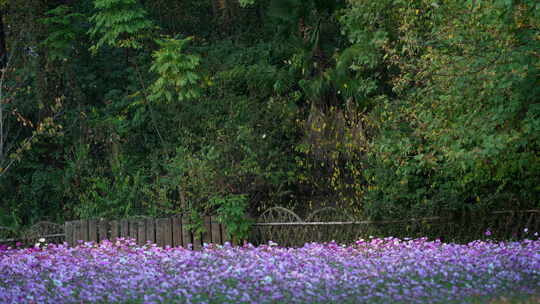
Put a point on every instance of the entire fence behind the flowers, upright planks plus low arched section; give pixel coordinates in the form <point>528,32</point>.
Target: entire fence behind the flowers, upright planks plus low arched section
<point>288,229</point>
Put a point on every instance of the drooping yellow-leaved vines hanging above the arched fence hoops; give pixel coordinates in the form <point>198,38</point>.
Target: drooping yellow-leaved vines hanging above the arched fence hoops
<point>331,163</point>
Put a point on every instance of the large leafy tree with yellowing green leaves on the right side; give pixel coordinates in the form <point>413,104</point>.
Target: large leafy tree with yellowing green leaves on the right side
<point>454,124</point>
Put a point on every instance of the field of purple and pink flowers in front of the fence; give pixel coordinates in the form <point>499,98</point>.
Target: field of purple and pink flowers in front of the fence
<point>370,271</point>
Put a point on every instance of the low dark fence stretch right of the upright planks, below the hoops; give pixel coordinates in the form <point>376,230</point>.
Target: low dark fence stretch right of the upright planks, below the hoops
<point>501,225</point>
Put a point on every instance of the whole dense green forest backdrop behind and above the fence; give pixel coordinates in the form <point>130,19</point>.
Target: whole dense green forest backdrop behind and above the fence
<point>385,109</point>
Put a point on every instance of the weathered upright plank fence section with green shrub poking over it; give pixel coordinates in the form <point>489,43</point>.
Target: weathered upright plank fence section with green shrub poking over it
<point>173,231</point>
